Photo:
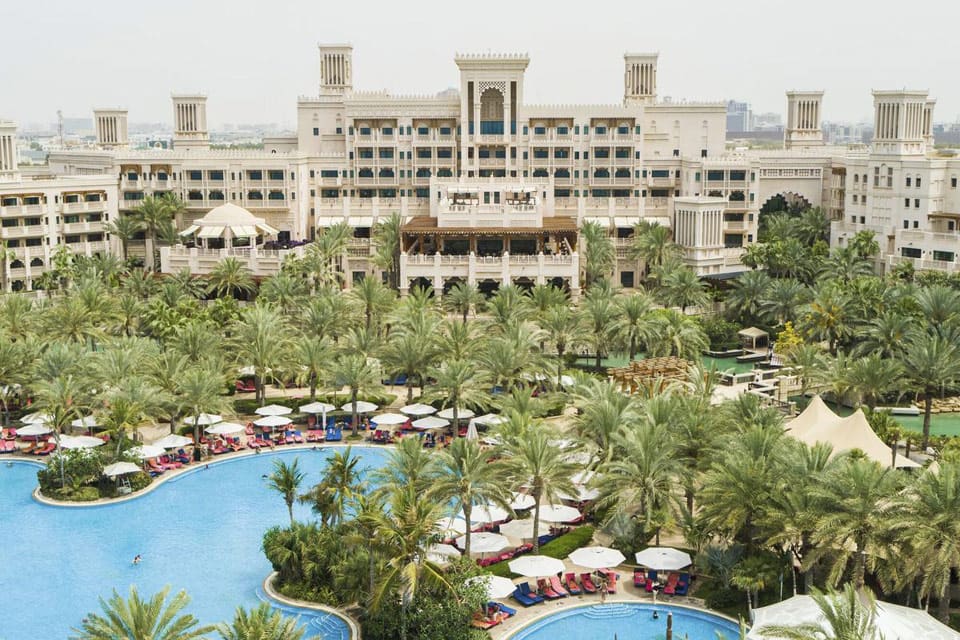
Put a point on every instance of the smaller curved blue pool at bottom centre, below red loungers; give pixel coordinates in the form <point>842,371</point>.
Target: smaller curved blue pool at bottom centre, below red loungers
<point>629,621</point>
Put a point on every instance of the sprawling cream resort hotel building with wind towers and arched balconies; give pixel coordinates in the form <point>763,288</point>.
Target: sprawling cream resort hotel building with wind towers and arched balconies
<point>492,190</point>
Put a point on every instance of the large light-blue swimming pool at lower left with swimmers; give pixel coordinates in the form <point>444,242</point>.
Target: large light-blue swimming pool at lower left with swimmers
<point>200,531</point>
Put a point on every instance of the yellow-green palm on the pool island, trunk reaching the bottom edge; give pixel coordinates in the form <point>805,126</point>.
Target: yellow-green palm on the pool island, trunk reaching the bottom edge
<point>405,529</point>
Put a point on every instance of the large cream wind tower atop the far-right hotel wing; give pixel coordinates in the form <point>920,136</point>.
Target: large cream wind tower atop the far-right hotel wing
<point>902,123</point>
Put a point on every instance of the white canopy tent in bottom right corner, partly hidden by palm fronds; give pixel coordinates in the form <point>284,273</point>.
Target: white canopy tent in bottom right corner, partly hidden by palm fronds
<point>893,621</point>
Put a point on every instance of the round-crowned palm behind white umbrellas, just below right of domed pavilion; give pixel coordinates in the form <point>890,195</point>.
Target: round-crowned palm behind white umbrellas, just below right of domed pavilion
<point>262,339</point>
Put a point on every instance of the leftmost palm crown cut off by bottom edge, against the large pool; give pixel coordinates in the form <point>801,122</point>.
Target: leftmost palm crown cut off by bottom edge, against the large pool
<point>142,619</point>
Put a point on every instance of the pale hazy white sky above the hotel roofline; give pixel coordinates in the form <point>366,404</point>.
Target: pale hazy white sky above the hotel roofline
<point>254,57</point>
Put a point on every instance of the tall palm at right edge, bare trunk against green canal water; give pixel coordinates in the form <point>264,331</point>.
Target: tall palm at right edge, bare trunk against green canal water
<point>930,363</point>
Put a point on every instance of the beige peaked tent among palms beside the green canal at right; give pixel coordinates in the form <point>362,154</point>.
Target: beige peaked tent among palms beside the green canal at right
<point>818,423</point>
